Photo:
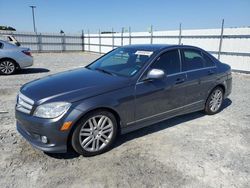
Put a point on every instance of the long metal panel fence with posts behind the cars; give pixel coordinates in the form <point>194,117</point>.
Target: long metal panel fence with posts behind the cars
<point>223,42</point>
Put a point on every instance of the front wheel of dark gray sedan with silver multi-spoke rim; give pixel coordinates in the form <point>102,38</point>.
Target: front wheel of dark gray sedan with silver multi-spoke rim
<point>95,133</point>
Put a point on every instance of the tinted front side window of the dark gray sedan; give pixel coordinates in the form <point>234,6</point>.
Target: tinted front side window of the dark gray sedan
<point>169,62</point>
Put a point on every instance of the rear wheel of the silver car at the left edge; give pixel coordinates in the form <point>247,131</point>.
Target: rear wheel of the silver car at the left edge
<point>7,67</point>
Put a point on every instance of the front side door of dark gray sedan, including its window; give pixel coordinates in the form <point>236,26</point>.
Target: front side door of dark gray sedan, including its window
<point>155,98</point>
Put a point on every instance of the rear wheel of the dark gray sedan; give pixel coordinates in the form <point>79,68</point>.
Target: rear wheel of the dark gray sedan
<point>214,101</point>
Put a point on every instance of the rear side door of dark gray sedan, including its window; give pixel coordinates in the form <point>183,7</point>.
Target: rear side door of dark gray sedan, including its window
<point>200,75</point>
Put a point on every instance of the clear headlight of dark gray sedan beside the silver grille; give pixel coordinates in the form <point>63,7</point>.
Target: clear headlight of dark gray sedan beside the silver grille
<point>51,110</point>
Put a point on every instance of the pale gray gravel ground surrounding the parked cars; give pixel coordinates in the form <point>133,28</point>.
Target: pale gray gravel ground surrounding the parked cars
<point>188,151</point>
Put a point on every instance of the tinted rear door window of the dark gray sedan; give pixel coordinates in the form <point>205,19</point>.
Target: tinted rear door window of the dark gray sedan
<point>192,59</point>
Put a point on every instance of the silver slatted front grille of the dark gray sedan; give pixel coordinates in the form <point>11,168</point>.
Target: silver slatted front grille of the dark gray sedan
<point>24,104</point>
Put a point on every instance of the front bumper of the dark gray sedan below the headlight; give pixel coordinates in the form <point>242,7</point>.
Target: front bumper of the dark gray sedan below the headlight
<point>33,128</point>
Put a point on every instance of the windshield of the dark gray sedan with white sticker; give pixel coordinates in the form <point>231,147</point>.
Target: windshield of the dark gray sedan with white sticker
<point>122,61</point>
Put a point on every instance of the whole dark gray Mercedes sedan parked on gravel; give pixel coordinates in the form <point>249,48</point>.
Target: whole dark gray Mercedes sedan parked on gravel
<point>128,88</point>
